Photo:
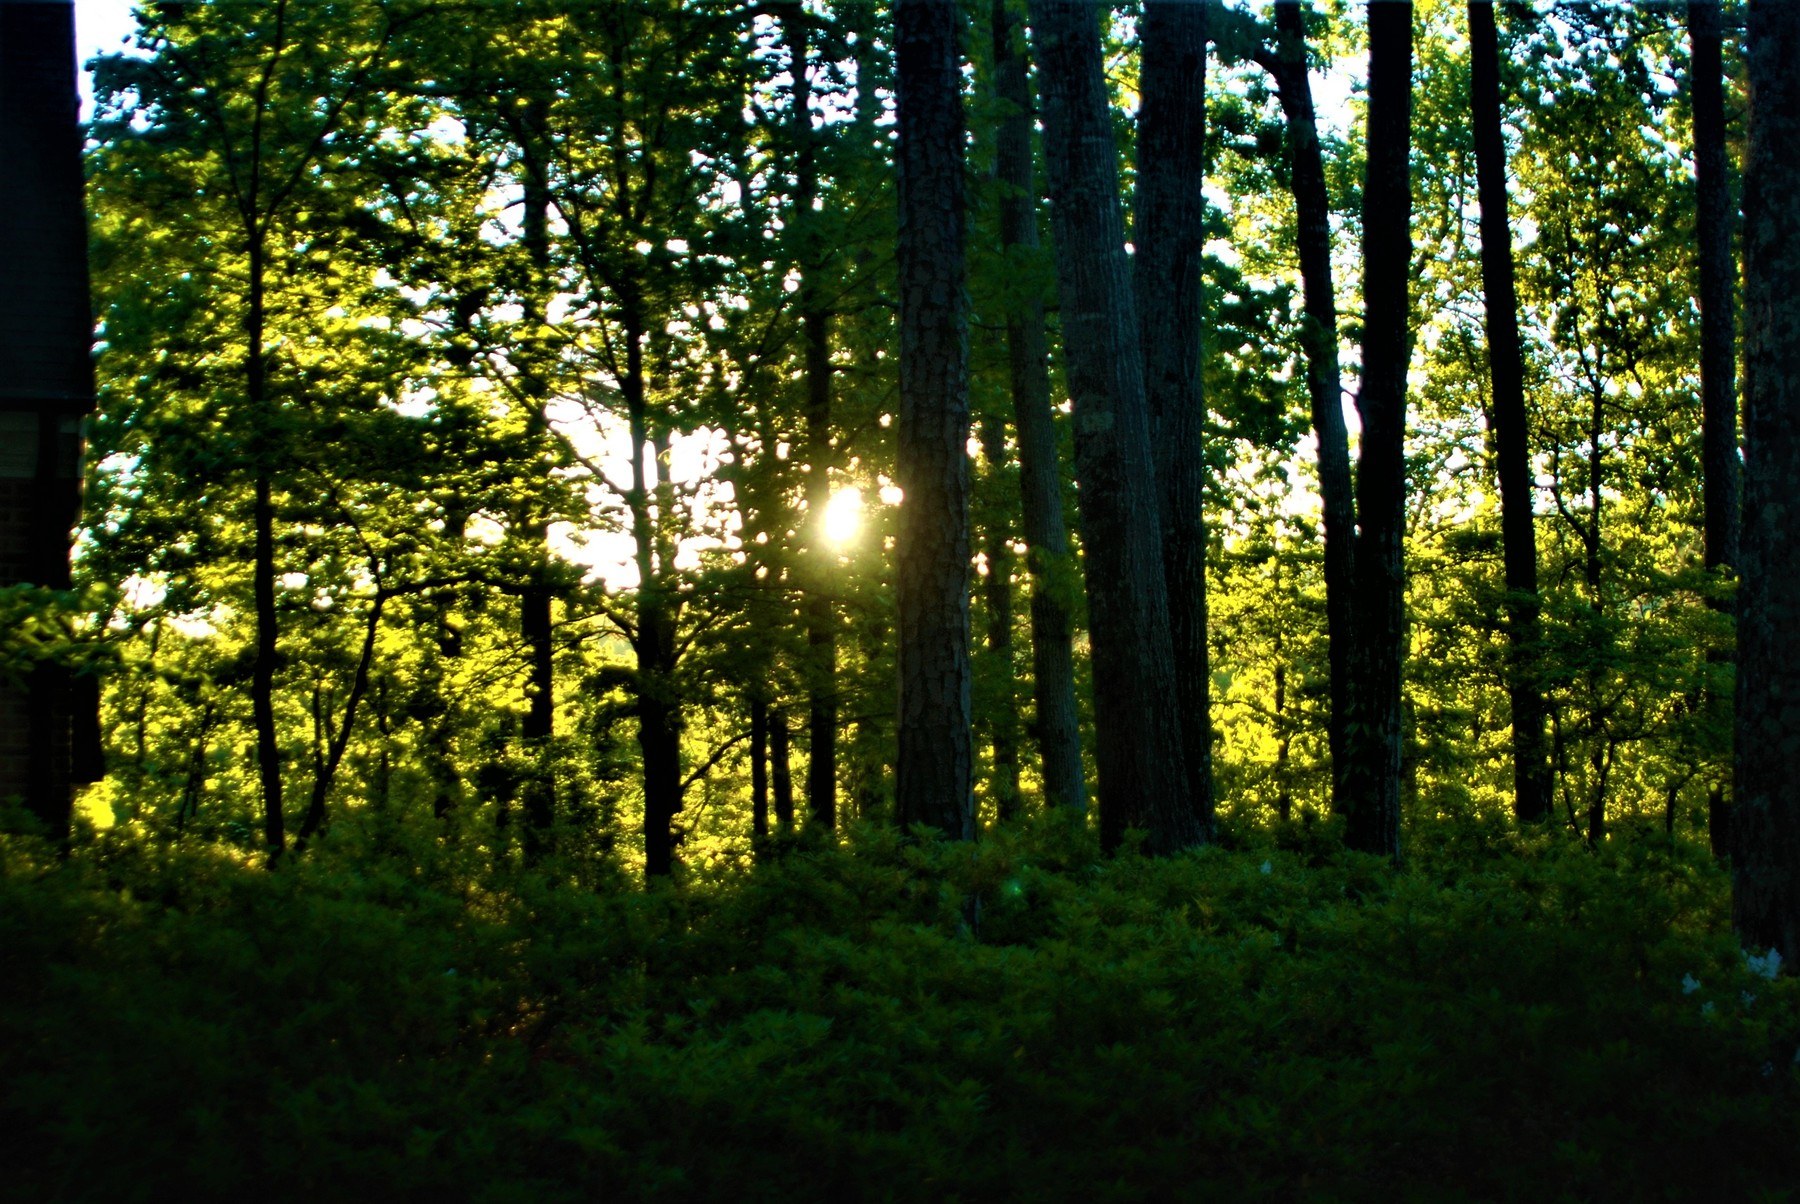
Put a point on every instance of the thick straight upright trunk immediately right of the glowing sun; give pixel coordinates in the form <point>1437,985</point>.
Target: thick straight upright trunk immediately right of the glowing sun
<point>931,573</point>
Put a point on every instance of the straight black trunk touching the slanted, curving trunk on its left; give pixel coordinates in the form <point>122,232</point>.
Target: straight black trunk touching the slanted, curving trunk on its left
<point>1374,735</point>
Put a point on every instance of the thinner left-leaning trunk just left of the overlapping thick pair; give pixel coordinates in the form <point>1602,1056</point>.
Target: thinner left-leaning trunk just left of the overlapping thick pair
<point>1056,728</point>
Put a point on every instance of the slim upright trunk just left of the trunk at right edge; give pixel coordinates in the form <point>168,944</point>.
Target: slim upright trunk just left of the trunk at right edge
<point>1718,368</point>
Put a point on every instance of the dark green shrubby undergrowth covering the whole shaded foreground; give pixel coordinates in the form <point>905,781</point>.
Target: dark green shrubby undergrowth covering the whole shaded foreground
<point>1506,1018</point>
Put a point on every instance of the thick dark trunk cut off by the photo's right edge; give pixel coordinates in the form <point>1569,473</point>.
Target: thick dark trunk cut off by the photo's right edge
<point>1767,814</point>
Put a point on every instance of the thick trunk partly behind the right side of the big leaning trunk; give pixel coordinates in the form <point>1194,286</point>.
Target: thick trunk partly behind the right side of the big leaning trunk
<point>1171,238</point>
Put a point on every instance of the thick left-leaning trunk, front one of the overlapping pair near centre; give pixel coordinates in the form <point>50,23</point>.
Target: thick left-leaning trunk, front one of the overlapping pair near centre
<point>1144,780</point>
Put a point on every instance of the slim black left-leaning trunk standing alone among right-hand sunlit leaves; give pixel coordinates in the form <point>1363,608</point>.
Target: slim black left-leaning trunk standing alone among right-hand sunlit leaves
<point>1506,355</point>
